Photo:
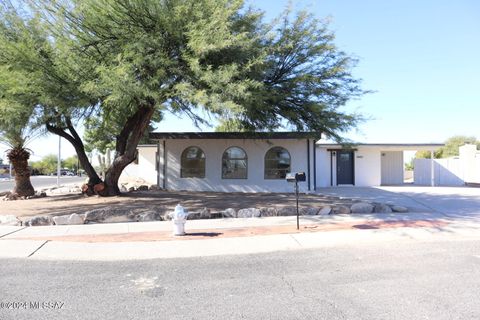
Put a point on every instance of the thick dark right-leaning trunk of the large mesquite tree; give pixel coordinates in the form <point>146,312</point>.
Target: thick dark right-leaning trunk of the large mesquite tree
<point>126,147</point>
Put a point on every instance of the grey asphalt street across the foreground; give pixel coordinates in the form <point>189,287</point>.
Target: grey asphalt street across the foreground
<point>389,280</point>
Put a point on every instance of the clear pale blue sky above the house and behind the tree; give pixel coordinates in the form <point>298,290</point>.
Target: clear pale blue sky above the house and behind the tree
<point>421,59</point>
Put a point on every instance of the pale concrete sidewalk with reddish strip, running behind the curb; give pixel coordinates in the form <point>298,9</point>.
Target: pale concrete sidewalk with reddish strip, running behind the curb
<point>147,240</point>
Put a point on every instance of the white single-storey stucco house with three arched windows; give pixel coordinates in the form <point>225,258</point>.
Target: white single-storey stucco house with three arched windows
<point>259,161</point>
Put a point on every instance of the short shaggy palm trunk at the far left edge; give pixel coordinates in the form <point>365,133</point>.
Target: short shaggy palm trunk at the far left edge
<point>18,157</point>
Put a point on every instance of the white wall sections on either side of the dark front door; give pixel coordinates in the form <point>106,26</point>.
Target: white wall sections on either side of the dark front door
<point>367,171</point>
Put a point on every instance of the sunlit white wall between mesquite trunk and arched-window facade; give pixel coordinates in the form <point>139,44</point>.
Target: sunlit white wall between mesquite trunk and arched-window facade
<point>145,169</point>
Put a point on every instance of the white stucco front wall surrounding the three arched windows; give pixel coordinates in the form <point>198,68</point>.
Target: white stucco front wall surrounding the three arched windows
<point>214,149</point>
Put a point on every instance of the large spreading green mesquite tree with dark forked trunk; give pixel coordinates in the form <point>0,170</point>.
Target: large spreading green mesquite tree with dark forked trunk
<point>122,63</point>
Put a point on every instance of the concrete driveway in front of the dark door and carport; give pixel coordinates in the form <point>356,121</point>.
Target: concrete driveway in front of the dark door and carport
<point>454,202</point>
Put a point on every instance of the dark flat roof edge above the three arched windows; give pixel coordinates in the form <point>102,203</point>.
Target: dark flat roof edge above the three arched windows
<point>234,135</point>
